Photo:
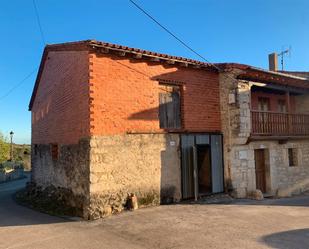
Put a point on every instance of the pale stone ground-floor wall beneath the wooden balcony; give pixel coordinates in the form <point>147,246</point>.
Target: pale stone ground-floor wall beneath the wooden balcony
<point>283,180</point>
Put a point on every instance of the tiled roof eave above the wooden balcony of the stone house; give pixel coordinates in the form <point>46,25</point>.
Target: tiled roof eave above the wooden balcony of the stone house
<point>261,75</point>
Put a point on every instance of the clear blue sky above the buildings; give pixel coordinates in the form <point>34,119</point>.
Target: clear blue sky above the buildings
<point>222,31</point>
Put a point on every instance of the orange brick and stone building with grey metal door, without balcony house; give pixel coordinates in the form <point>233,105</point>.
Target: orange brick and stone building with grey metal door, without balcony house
<point>109,121</point>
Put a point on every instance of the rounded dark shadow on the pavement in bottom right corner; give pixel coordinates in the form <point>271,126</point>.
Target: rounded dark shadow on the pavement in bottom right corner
<point>292,239</point>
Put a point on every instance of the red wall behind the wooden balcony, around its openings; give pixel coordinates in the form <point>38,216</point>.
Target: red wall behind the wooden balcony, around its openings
<point>273,99</point>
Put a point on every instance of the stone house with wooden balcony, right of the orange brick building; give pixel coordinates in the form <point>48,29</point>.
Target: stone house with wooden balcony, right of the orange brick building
<point>265,123</point>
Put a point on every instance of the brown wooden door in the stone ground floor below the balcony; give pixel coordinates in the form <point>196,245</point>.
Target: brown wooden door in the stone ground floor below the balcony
<point>260,170</point>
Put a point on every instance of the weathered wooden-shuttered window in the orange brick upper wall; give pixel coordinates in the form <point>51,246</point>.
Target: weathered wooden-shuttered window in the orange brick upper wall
<point>169,107</point>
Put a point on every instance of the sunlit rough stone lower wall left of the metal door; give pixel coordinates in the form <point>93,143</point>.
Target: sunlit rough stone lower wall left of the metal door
<point>147,165</point>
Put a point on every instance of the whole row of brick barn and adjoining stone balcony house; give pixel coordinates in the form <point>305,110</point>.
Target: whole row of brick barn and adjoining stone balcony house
<point>109,121</point>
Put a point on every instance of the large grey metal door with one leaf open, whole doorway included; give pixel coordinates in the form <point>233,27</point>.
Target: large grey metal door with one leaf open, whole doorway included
<point>201,165</point>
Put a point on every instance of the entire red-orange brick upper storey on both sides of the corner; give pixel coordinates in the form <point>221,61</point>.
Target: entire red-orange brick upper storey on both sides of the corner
<point>82,94</point>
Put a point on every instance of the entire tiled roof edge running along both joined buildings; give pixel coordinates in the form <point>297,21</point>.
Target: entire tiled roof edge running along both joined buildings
<point>248,72</point>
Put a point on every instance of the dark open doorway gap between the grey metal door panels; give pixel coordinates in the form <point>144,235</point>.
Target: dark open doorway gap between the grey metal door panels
<point>204,169</point>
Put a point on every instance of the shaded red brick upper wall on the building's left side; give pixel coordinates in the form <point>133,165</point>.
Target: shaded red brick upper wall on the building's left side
<point>60,113</point>
